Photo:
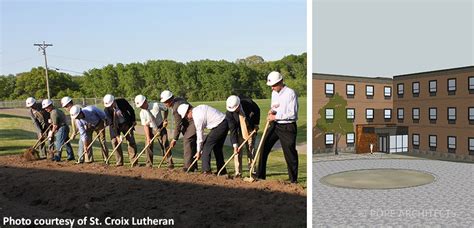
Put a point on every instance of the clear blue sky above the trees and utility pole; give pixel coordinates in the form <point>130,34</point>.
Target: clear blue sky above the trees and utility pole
<point>88,34</point>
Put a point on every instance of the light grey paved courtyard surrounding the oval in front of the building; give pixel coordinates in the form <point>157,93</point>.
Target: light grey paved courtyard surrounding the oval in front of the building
<point>446,202</point>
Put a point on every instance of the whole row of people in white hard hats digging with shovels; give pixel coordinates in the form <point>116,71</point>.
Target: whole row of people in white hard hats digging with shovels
<point>242,120</point>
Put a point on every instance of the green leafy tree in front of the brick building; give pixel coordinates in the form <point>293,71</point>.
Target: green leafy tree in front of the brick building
<point>340,125</point>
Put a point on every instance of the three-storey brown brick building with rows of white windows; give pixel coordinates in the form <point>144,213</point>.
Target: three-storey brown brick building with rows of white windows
<point>429,112</point>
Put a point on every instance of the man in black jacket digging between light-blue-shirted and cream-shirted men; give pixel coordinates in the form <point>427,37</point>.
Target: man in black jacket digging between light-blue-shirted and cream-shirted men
<point>121,117</point>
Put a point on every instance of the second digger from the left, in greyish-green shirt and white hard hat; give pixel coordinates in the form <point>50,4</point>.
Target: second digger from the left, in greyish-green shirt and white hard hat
<point>59,131</point>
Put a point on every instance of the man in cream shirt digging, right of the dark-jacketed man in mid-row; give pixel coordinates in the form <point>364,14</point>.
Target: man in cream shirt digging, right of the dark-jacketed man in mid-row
<point>152,120</point>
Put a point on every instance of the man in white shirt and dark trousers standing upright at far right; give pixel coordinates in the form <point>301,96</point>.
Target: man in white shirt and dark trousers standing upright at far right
<point>283,116</point>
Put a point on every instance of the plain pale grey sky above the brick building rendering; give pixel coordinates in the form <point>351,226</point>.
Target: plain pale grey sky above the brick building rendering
<point>390,37</point>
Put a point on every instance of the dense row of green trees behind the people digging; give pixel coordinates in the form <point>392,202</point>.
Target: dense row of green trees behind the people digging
<point>203,80</point>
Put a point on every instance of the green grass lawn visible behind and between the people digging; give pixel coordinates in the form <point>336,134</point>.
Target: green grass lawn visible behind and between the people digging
<point>16,135</point>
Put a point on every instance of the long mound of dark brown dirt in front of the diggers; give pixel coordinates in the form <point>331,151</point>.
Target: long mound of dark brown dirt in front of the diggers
<point>44,189</point>
